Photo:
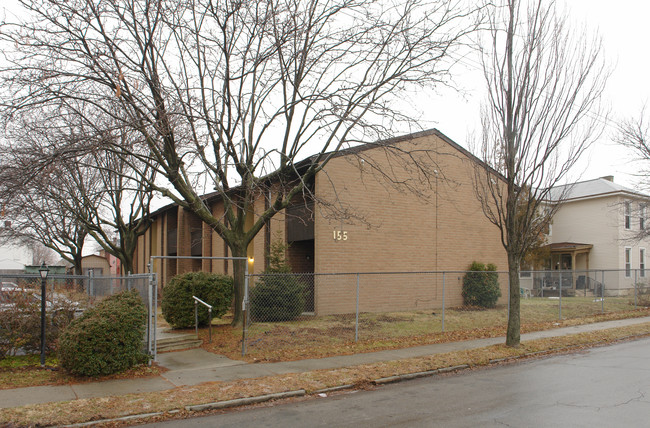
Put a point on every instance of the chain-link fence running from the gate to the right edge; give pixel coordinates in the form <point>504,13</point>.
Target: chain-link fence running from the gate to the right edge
<point>332,310</point>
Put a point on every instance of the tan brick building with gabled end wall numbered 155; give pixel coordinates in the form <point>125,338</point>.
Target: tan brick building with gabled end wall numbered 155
<point>373,211</point>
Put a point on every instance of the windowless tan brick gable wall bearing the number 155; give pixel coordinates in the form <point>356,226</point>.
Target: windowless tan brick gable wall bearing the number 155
<point>401,227</point>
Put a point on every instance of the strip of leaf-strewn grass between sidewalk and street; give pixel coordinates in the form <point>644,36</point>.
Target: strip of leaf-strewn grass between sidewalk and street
<point>78,411</point>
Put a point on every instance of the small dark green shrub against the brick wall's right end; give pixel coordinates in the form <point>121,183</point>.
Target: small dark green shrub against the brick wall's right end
<point>481,286</point>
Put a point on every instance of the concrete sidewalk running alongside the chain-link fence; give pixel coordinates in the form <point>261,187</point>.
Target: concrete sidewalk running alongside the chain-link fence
<point>196,366</point>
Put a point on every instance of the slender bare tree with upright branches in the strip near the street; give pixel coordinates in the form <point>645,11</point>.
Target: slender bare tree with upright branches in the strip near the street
<point>544,84</point>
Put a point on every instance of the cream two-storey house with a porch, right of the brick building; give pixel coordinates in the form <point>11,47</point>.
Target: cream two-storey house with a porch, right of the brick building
<point>598,233</point>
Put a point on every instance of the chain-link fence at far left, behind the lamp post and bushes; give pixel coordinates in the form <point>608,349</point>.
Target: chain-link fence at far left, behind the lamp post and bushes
<point>78,292</point>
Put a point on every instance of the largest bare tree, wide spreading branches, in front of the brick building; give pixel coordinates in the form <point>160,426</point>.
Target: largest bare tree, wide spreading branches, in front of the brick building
<point>224,92</point>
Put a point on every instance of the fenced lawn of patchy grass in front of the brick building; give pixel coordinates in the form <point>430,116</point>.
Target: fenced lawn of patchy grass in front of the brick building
<point>317,337</point>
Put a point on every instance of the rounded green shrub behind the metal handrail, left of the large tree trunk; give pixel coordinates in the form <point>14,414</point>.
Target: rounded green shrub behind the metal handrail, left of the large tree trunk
<point>178,306</point>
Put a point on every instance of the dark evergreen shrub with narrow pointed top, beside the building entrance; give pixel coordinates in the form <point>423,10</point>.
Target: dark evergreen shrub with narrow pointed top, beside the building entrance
<point>278,295</point>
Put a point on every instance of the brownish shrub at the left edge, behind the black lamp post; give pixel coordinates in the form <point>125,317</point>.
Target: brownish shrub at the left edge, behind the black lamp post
<point>20,322</point>
